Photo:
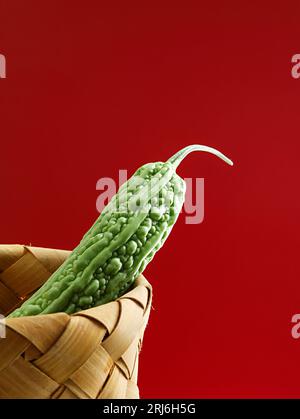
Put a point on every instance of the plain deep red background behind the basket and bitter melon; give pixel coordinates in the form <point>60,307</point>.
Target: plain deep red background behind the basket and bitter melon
<point>92,88</point>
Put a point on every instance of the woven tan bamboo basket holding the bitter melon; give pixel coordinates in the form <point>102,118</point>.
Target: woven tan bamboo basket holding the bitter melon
<point>88,355</point>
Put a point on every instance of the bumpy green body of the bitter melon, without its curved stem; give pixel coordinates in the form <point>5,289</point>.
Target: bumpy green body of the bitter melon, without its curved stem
<point>117,248</point>
